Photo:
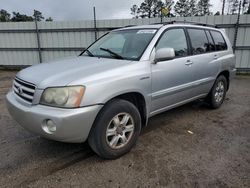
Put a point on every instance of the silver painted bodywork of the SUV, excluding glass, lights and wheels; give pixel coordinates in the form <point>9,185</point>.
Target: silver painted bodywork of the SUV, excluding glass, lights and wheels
<point>164,85</point>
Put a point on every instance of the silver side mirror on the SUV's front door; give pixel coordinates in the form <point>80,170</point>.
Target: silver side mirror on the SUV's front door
<point>164,54</point>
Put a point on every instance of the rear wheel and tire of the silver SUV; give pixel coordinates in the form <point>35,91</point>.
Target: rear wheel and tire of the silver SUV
<point>217,94</point>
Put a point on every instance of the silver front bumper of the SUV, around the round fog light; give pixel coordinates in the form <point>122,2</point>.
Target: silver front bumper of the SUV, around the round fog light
<point>72,125</point>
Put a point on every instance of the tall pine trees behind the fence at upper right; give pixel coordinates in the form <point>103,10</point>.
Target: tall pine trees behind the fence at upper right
<point>184,8</point>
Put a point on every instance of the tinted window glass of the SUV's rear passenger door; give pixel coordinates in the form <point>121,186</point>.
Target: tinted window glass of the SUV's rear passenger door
<point>199,41</point>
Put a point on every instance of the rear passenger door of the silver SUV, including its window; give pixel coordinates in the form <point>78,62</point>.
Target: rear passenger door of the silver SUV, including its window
<point>204,59</point>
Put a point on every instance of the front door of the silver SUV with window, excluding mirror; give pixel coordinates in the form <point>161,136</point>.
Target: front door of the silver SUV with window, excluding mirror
<point>171,80</point>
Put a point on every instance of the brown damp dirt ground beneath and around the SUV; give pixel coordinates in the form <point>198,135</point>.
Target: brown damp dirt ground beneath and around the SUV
<point>167,154</point>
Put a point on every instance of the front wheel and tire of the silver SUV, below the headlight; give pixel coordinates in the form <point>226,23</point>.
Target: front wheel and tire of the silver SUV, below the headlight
<point>112,134</point>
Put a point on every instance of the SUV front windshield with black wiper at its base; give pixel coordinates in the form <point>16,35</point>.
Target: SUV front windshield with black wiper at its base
<point>123,44</point>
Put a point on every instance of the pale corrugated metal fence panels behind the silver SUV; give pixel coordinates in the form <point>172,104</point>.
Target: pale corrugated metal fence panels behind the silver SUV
<point>19,41</point>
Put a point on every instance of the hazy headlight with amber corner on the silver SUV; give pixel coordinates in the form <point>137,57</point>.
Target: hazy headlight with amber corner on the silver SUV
<point>67,97</point>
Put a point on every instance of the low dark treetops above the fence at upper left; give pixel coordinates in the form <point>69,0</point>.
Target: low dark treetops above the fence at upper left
<point>5,16</point>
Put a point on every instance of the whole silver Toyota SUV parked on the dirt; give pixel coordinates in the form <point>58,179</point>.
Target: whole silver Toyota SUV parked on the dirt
<point>107,93</point>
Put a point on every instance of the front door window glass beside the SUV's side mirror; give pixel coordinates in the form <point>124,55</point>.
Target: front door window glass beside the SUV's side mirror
<point>174,38</point>
